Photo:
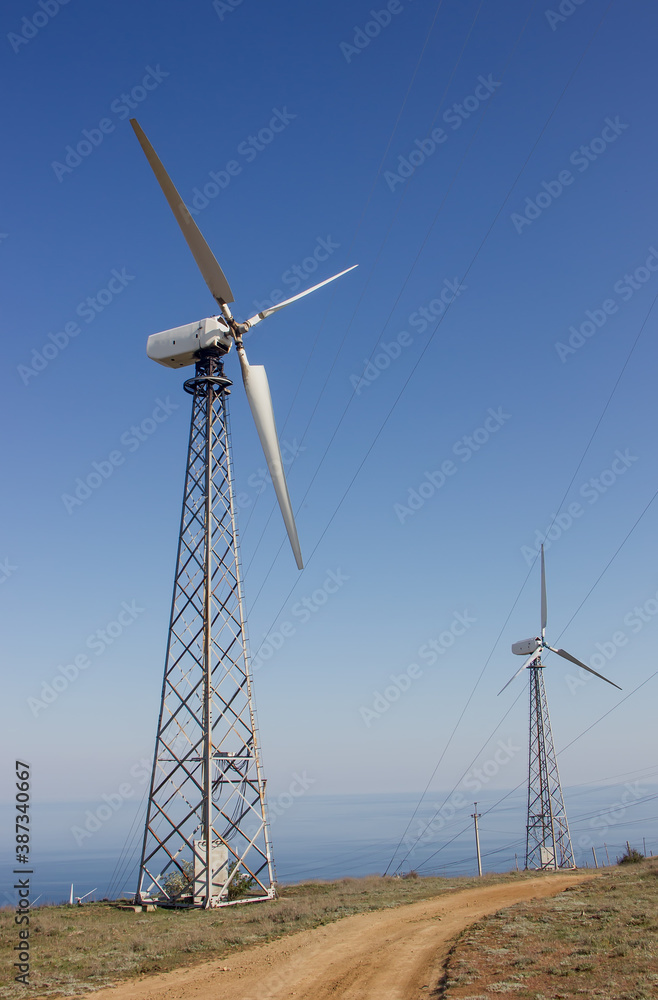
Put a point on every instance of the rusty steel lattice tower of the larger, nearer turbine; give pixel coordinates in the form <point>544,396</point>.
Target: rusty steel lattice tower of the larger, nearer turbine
<point>206,821</point>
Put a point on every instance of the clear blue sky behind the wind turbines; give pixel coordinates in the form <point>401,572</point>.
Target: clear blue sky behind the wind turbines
<point>532,211</point>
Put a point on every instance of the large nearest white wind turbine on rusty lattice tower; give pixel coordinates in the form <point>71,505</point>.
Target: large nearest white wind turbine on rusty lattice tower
<point>207,792</point>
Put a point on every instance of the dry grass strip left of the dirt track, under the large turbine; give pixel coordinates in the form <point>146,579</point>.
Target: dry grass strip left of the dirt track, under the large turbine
<point>69,945</point>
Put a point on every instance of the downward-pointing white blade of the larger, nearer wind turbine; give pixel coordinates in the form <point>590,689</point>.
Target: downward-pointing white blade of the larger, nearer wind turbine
<point>260,401</point>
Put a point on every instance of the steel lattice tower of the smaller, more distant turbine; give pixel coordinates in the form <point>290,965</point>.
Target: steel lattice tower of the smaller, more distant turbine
<point>548,841</point>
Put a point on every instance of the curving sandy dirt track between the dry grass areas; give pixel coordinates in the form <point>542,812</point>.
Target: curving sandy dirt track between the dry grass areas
<point>393,954</point>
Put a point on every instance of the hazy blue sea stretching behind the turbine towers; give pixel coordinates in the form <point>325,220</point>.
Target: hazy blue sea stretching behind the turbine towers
<point>329,837</point>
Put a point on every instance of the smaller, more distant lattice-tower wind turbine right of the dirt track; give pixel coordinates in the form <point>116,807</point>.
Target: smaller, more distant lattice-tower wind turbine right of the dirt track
<point>548,841</point>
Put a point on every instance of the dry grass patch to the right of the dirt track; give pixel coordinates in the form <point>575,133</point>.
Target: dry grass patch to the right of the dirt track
<point>599,940</point>
